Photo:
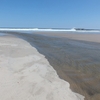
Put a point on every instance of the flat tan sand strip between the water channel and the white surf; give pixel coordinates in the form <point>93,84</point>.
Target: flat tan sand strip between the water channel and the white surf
<point>89,36</point>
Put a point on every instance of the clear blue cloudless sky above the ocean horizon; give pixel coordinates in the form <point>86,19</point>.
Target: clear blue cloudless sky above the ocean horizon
<point>50,13</point>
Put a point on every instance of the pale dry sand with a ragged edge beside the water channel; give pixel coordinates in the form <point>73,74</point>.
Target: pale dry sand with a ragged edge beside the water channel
<point>27,75</point>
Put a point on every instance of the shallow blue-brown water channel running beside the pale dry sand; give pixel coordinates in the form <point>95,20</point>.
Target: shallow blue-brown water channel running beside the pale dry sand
<point>77,62</point>
